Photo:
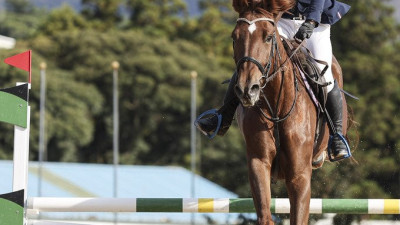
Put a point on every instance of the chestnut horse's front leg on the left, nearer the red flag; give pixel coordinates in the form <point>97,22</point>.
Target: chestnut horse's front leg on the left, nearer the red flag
<point>259,176</point>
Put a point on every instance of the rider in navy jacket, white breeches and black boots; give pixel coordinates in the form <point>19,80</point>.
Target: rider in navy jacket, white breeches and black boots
<point>309,19</point>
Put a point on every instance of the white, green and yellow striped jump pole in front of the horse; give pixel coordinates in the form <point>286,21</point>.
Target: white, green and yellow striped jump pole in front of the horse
<point>208,205</point>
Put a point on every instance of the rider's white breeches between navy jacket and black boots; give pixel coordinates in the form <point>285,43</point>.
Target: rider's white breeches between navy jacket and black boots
<point>319,43</point>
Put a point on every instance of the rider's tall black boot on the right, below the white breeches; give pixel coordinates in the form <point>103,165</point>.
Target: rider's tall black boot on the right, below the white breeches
<point>334,106</point>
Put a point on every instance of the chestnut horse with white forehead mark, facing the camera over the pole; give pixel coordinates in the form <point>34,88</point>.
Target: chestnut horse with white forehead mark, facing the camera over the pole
<point>275,110</point>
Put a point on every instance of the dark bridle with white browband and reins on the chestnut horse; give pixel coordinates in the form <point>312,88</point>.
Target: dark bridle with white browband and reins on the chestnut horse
<point>267,75</point>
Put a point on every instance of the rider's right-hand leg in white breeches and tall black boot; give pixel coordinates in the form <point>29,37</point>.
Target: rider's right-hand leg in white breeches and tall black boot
<point>320,46</point>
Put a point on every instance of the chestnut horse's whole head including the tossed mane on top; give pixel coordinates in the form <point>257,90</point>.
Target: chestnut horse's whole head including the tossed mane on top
<point>254,42</point>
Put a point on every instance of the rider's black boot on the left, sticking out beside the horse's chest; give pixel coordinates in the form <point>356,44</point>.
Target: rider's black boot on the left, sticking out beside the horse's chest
<point>227,111</point>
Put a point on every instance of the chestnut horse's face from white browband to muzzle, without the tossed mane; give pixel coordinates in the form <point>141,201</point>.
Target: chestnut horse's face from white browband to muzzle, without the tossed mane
<point>253,39</point>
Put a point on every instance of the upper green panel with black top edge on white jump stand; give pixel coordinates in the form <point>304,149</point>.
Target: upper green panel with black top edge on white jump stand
<point>14,105</point>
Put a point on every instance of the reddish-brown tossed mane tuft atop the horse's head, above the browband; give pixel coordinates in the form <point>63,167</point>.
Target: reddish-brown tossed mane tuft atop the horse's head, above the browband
<point>271,6</point>
